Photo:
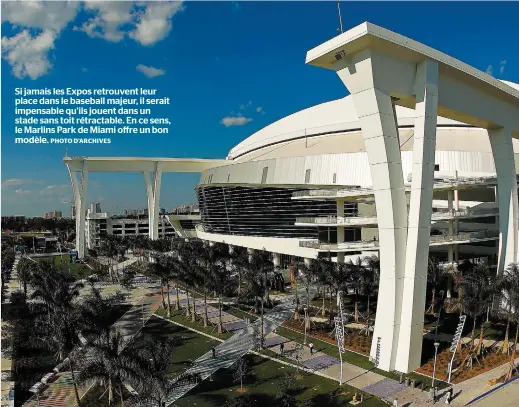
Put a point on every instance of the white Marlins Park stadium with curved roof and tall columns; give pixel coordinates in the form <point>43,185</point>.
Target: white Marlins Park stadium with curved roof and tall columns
<point>420,159</point>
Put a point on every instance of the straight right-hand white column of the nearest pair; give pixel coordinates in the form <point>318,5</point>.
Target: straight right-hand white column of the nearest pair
<point>420,211</point>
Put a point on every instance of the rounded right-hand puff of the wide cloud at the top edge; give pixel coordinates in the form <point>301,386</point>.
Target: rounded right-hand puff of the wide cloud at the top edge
<point>155,23</point>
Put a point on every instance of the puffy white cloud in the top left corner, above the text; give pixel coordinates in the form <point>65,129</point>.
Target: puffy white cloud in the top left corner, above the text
<point>28,51</point>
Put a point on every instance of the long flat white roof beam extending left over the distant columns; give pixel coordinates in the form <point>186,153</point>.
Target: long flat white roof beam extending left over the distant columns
<point>141,164</point>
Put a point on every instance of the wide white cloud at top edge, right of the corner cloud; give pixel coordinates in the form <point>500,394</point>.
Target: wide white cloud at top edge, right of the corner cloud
<point>144,22</point>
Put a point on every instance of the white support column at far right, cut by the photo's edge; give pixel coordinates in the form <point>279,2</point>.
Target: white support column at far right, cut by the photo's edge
<point>503,152</point>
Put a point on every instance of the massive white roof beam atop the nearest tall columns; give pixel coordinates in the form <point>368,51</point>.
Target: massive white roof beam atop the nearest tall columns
<point>463,93</point>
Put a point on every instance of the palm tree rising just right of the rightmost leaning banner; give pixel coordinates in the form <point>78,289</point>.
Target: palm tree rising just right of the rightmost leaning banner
<point>479,288</point>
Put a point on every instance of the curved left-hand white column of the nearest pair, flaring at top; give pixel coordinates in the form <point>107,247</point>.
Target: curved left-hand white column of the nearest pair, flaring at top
<point>380,132</point>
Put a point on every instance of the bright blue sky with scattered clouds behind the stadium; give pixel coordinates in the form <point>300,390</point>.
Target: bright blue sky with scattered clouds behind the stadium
<point>214,60</point>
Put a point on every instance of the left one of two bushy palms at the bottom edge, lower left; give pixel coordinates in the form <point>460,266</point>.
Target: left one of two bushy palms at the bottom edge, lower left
<point>109,363</point>
